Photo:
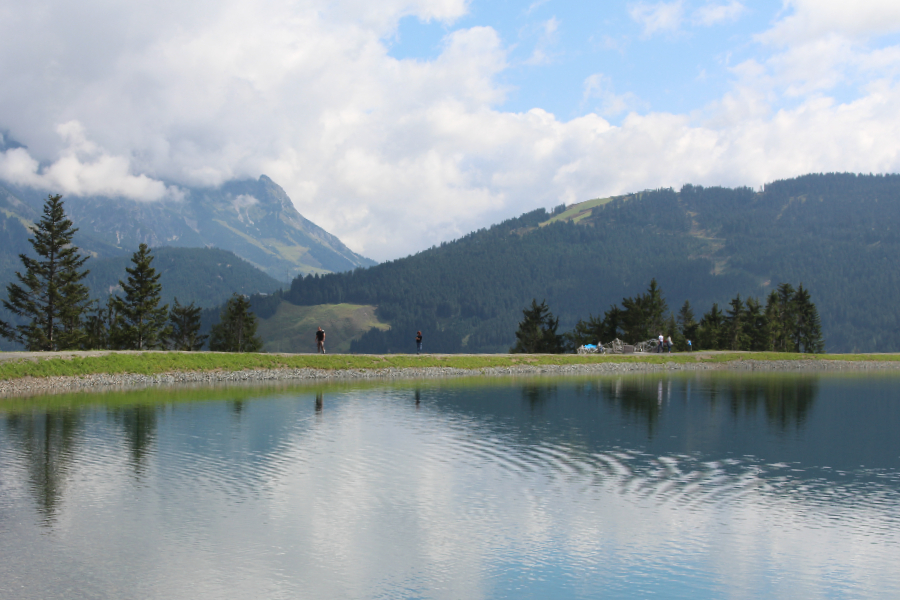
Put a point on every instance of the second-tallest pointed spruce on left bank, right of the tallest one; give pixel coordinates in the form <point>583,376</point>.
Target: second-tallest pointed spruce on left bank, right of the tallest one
<point>141,323</point>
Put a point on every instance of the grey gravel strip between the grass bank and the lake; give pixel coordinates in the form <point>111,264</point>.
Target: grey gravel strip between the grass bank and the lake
<point>98,382</point>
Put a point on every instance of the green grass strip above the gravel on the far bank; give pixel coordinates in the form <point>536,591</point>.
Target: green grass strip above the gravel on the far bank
<point>151,363</point>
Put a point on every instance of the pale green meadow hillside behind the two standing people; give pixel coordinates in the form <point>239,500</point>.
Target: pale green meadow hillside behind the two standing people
<point>292,328</point>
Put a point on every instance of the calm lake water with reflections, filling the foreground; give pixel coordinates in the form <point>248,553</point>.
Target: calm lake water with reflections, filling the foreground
<point>706,486</point>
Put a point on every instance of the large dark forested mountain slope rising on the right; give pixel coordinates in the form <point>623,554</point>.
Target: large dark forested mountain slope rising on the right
<point>837,234</point>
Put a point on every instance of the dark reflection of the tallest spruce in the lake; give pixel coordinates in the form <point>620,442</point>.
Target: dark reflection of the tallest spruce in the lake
<point>47,443</point>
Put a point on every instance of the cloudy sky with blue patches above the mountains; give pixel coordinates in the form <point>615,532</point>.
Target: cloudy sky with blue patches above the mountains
<point>400,124</point>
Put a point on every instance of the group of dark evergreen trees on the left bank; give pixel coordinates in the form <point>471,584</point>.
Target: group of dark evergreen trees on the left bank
<point>56,311</point>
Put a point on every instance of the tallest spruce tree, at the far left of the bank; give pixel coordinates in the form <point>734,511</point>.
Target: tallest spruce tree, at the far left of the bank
<point>51,297</point>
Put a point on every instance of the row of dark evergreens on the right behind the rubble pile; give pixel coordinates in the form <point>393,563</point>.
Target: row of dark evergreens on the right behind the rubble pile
<point>789,322</point>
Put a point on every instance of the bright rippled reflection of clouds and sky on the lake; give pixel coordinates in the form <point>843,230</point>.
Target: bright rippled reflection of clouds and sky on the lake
<point>369,497</point>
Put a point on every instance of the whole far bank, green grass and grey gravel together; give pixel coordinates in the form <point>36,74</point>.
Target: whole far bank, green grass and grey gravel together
<point>39,372</point>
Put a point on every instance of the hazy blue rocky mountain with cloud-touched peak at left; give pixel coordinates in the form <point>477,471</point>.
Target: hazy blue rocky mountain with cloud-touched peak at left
<point>255,219</point>
